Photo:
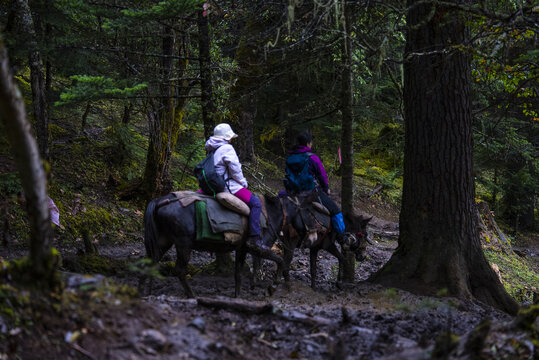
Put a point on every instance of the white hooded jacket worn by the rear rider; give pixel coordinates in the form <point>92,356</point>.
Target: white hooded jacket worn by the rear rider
<point>227,164</point>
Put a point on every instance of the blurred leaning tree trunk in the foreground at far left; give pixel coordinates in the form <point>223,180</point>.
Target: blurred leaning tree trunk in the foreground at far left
<point>31,172</point>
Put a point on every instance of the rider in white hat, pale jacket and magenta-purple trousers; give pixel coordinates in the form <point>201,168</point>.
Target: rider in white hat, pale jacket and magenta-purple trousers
<point>227,164</point>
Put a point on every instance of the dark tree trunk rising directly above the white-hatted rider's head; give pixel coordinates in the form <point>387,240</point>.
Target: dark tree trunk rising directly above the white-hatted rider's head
<point>208,107</point>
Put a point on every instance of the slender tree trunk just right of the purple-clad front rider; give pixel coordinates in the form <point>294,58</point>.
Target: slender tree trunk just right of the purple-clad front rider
<point>347,137</point>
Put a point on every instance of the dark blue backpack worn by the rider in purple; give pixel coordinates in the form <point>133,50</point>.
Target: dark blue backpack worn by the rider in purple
<point>297,177</point>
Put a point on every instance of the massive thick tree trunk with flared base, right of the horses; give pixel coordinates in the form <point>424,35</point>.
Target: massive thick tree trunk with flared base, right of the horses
<point>439,245</point>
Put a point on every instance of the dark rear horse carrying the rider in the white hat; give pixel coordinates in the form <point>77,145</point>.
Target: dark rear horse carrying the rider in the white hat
<point>167,223</point>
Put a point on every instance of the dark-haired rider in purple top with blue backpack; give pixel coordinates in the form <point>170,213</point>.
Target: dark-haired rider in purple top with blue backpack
<point>305,172</point>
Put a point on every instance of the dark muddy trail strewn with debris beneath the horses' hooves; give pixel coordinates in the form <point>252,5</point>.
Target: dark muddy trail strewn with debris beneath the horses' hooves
<point>355,321</point>
